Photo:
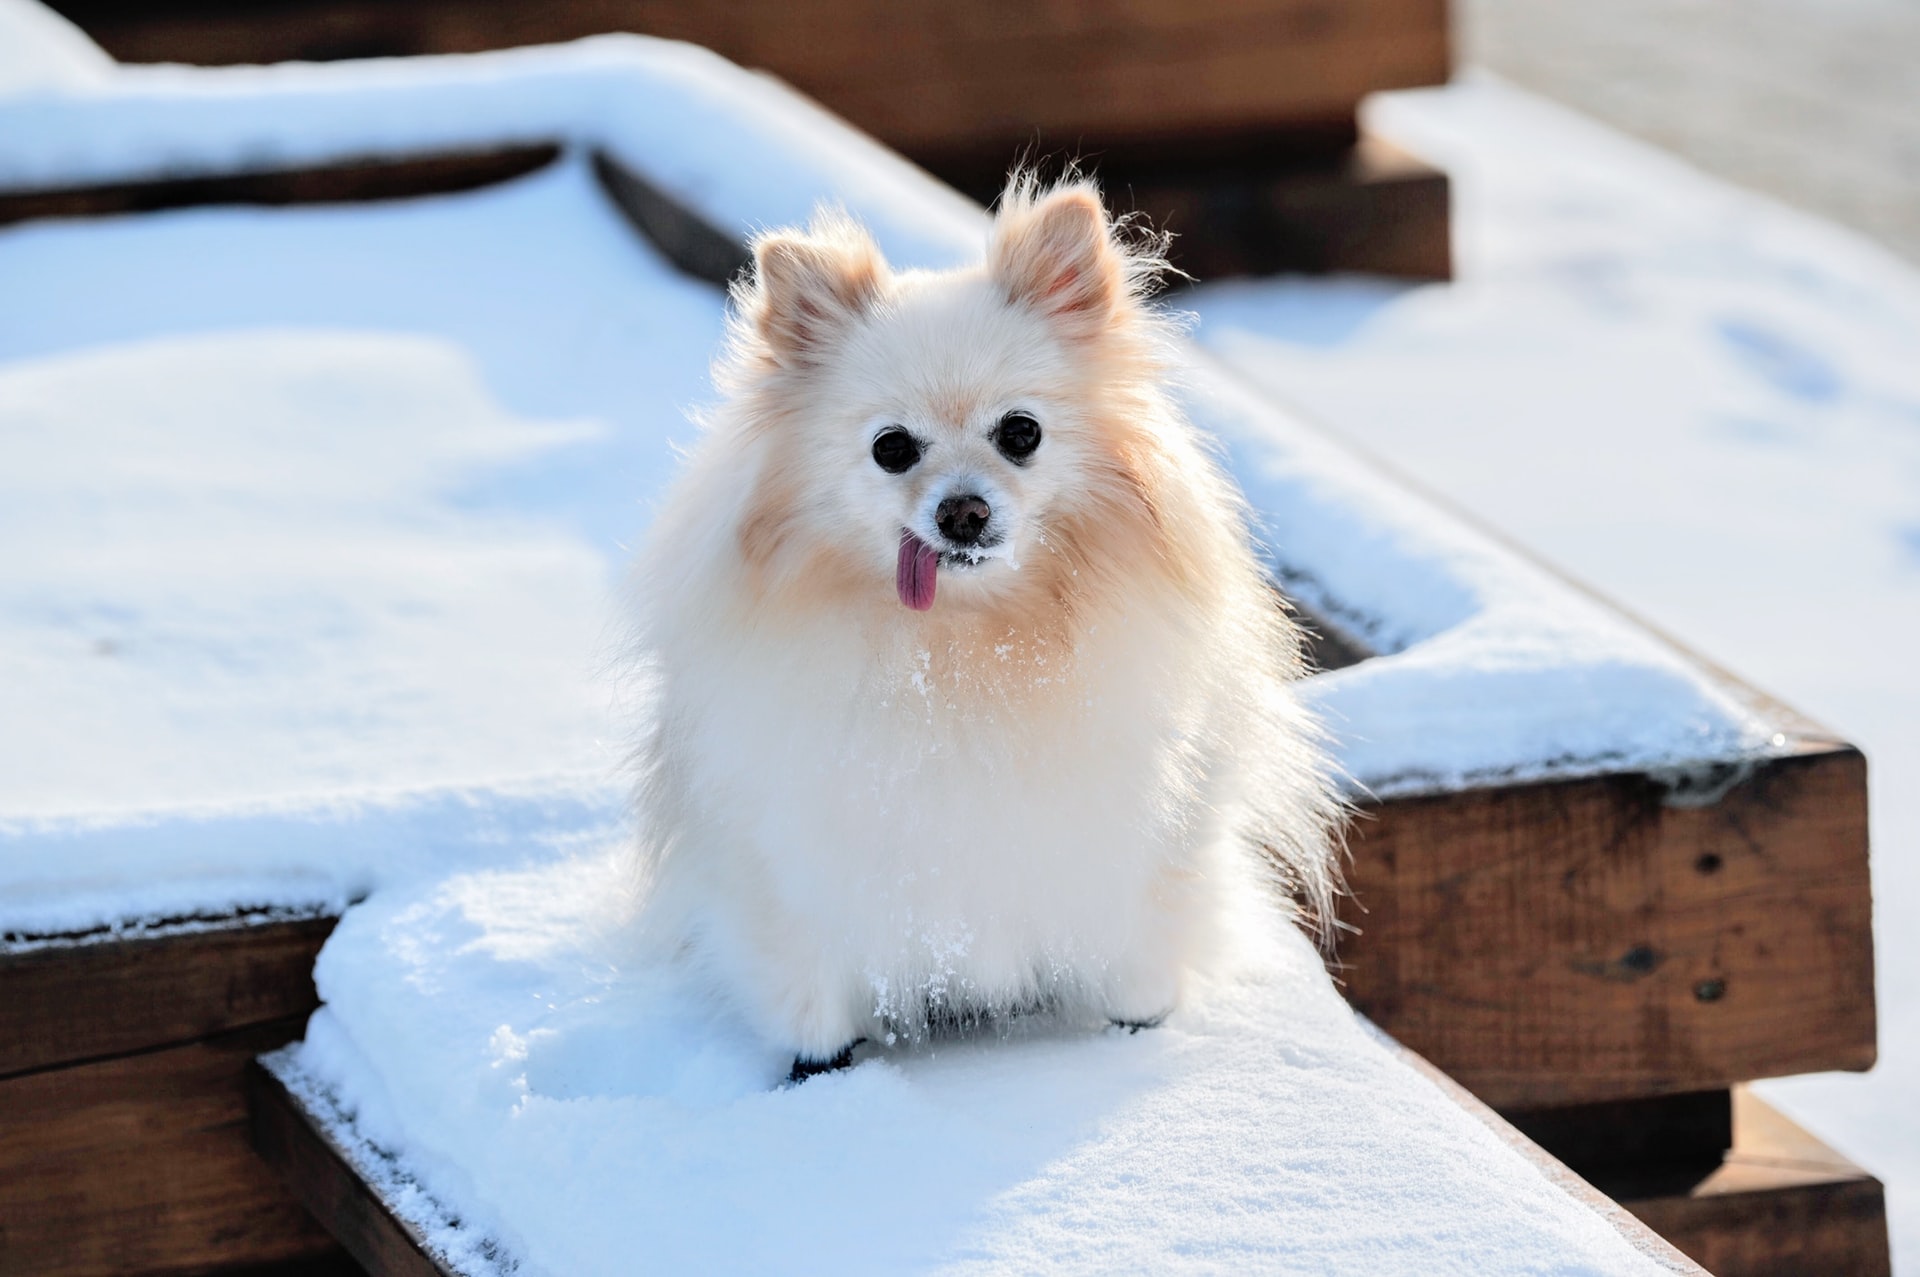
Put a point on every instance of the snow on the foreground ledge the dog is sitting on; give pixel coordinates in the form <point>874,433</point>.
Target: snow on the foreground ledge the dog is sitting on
<point>565,1109</point>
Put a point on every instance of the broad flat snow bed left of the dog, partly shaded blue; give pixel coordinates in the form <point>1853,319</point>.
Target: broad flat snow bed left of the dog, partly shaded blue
<point>322,531</point>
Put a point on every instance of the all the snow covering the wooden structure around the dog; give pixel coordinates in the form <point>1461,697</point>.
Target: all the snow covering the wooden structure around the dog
<point>325,514</point>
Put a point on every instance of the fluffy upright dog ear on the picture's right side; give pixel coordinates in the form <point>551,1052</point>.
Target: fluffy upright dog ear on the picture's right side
<point>1059,258</point>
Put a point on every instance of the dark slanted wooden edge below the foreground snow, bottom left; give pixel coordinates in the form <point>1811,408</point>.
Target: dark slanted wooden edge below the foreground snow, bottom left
<point>331,1178</point>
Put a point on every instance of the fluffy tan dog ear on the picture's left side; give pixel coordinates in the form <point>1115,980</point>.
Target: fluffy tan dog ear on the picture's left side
<point>811,287</point>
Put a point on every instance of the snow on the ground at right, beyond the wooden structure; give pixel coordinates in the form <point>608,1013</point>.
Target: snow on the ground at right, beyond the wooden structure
<point>1702,404</point>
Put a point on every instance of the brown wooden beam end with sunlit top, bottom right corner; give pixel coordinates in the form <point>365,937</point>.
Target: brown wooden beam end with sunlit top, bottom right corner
<point>1781,1205</point>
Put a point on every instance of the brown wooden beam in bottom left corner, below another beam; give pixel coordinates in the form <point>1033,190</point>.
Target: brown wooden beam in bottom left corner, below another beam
<point>141,1165</point>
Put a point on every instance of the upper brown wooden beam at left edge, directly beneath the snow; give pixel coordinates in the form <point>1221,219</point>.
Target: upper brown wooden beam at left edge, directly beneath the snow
<point>97,996</point>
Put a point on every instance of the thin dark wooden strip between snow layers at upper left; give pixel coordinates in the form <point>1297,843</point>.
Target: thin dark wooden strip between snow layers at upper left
<point>377,178</point>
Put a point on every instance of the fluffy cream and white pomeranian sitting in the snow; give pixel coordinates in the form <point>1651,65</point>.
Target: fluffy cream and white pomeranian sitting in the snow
<point>967,690</point>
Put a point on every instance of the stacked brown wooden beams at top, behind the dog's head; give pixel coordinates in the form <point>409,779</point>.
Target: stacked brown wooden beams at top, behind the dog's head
<point>1230,122</point>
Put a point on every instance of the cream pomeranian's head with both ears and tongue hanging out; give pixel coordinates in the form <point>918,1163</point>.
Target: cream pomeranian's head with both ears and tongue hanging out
<point>936,429</point>
